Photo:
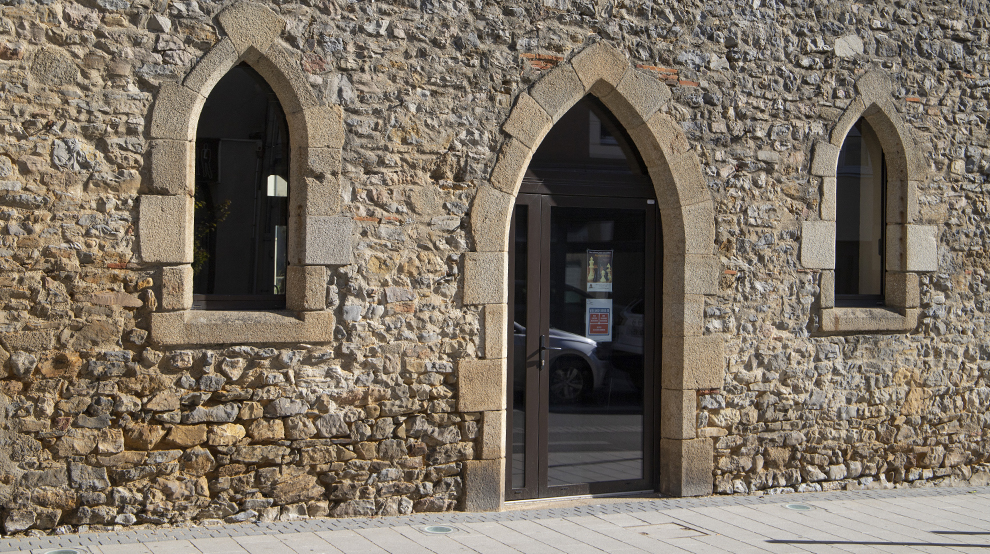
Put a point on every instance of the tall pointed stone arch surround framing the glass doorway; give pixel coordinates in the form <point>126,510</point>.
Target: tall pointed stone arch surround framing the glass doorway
<point>690,360</point>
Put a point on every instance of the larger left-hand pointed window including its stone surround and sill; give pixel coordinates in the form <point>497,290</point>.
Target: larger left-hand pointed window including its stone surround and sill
<point>220,139</point>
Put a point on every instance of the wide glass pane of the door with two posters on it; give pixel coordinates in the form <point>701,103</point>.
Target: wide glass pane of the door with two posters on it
<point>597,284</point>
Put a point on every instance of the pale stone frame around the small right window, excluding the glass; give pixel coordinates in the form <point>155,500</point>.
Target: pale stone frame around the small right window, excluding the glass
<point>911,247</point>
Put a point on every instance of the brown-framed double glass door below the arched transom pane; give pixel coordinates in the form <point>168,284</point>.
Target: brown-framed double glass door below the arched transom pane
<point>583,348</point>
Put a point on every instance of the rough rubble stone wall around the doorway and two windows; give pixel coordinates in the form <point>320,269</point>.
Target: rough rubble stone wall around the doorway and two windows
<point>102,423</point>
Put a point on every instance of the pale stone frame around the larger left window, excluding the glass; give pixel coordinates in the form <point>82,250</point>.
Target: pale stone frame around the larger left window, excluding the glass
<point>318,235</point>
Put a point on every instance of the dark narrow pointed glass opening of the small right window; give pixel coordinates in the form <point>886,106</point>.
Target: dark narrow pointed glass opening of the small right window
<point>860,219</point>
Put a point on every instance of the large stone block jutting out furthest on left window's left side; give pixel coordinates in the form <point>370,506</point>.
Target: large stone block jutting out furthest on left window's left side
<point>165,229</point>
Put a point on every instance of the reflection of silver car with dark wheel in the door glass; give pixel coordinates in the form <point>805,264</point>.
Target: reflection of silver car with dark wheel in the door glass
<point>575,368</point>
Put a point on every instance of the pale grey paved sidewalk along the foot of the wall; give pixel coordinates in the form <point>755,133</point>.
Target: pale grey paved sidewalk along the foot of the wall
<point>955,519</point>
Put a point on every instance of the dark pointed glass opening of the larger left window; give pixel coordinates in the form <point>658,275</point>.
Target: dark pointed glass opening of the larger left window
<point>241,196</point>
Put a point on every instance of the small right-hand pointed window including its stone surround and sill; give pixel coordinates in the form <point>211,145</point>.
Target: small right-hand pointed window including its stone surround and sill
<point>869,240</point>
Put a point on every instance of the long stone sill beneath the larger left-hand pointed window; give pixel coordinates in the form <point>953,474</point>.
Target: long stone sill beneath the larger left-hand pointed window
<point>202,327</point>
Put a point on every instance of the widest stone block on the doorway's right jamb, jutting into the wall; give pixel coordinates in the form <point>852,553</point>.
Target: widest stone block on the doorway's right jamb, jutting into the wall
<point>693,362</point>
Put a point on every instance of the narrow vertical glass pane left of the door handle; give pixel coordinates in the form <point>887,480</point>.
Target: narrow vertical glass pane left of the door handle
<point>521,258</point>
